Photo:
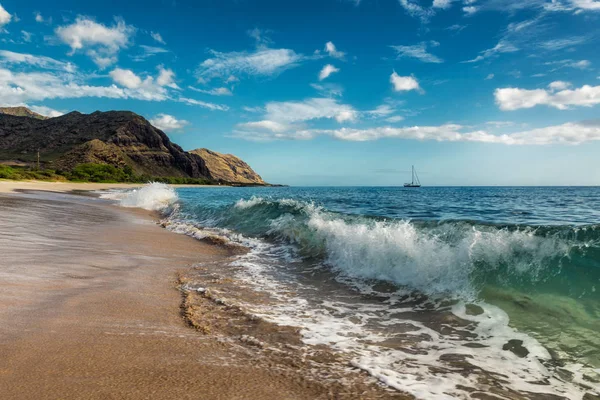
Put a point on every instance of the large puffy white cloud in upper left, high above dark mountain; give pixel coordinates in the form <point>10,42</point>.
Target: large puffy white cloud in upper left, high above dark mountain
<point>103,43</point>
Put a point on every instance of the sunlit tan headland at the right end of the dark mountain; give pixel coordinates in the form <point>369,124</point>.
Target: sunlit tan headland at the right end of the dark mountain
<point>228,168</point>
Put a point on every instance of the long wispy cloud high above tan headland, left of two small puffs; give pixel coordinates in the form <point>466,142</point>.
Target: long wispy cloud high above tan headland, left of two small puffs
<point>262,62</point>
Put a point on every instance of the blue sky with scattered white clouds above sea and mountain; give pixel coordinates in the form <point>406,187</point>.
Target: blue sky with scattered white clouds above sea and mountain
<point>330,92</point>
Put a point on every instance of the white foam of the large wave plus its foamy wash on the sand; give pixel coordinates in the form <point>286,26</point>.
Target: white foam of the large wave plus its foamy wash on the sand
<point>433,259</point>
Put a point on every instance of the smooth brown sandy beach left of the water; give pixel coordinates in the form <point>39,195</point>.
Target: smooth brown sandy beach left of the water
<point>91,308</point>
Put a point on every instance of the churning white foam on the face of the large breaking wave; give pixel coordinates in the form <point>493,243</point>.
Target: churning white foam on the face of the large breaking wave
<point>432,259</point>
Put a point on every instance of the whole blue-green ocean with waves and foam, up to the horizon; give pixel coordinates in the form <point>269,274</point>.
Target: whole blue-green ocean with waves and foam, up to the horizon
<point>440,292</point>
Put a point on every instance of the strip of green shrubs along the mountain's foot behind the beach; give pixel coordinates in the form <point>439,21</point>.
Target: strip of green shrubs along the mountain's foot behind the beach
<point>101,173</point>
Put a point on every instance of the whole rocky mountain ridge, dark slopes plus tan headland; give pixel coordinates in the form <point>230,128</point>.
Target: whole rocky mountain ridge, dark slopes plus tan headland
<point>119,138</point>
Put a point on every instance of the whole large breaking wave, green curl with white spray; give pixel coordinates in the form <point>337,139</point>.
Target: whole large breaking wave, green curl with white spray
<point>436,258</point>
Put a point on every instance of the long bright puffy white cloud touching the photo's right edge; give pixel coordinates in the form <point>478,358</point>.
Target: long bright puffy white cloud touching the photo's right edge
<point>509,99</point>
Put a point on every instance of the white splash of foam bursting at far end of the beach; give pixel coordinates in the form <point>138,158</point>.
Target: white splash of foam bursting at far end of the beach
<point>154,196</point>
